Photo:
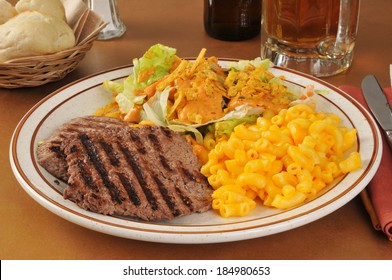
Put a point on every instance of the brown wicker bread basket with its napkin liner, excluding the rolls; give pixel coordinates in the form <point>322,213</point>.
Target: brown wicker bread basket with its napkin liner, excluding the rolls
<point>38,70</point>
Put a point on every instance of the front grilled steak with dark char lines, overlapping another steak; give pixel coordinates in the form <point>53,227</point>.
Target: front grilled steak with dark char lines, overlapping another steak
<point>148,172</point>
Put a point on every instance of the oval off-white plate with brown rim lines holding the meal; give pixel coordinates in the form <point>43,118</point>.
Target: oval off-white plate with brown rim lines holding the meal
<point>85,96</point>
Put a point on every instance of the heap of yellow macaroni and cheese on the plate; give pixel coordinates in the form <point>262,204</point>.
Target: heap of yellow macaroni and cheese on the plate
<point>281,160</point>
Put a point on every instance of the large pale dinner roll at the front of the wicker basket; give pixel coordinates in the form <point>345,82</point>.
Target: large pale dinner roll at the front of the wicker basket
<point>32,33</point>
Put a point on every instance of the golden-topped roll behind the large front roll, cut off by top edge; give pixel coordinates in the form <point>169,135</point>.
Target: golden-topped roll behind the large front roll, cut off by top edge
<point>49,7</point>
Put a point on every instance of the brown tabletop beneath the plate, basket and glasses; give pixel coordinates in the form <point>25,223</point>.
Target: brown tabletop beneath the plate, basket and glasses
<point>29,231</point>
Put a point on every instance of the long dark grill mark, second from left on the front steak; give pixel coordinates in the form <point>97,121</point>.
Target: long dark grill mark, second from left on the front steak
<point>96,161</point>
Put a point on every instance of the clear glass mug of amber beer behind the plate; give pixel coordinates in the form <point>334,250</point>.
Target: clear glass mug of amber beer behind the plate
<point>313,36</point>
